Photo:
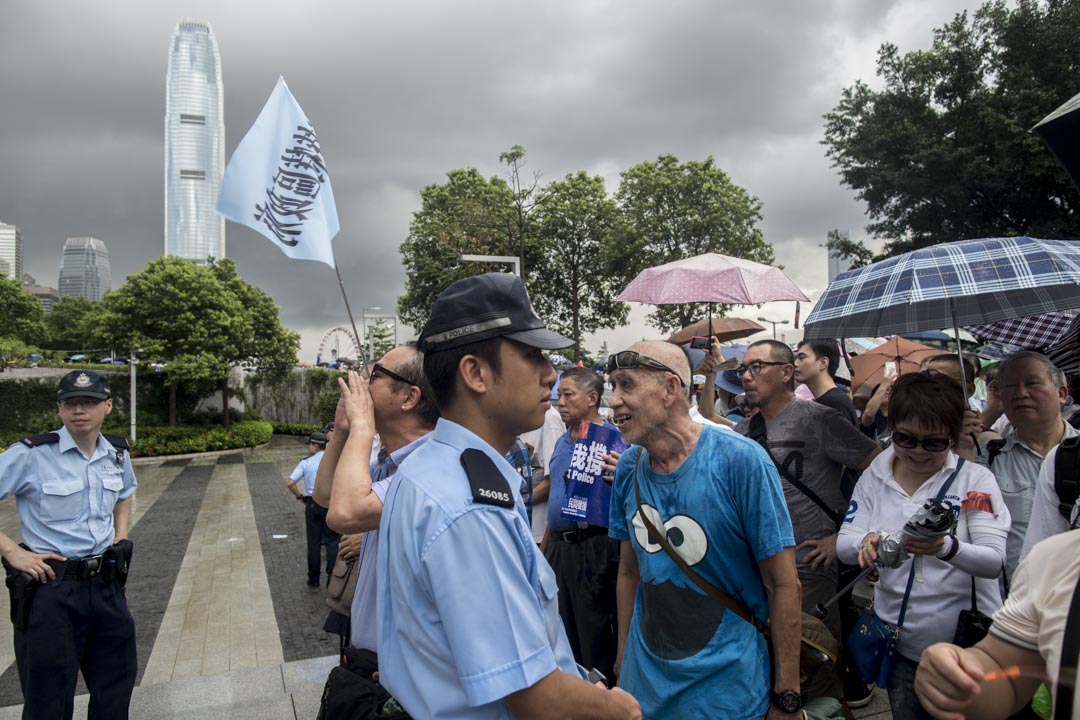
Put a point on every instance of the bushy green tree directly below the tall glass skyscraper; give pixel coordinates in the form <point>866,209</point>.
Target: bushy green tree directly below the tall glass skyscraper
<point>182,313</point>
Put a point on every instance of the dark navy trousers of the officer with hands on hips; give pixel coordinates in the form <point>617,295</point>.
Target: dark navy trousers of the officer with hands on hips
<point>77,626</point>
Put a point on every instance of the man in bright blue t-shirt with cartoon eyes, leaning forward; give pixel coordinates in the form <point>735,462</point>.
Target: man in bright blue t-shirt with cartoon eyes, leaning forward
<point>718,500</point>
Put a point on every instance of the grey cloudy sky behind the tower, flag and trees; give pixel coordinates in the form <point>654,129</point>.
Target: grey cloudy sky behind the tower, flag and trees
<point>402,92</point>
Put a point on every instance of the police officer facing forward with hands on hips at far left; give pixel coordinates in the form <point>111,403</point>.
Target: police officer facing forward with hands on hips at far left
<point>73,491</point>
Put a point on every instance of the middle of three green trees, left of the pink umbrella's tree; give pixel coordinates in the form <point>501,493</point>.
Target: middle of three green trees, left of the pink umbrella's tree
<point>575,293</point>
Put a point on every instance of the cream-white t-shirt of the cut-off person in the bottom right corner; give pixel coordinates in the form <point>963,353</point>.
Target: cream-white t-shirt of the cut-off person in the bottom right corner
<point>1038,605</point>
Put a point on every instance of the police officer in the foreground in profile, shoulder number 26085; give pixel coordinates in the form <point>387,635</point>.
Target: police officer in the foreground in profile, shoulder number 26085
<point>468,609</point>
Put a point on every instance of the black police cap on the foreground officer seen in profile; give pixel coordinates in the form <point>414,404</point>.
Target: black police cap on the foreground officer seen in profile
<point>483,307</point>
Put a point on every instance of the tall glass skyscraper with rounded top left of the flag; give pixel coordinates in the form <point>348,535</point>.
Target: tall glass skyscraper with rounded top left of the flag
<point>195,145</point>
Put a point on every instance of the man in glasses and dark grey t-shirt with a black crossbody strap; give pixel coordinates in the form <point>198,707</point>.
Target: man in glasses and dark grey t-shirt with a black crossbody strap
<point>812,445</point>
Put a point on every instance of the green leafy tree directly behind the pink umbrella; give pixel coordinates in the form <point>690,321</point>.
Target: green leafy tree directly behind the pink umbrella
<point>671,211</point>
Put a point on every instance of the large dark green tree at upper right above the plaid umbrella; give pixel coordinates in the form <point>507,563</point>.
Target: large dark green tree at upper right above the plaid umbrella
<point>943,152</point>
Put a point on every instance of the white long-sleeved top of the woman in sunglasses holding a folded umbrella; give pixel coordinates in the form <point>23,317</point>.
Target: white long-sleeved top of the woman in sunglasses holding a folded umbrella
<point>941,590</point>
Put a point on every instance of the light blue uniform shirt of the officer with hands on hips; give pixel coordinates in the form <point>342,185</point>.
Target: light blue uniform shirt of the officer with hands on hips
<point>65,500</point>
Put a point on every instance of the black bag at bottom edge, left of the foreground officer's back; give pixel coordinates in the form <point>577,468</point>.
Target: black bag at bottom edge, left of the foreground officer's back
<point>353,691</point>
